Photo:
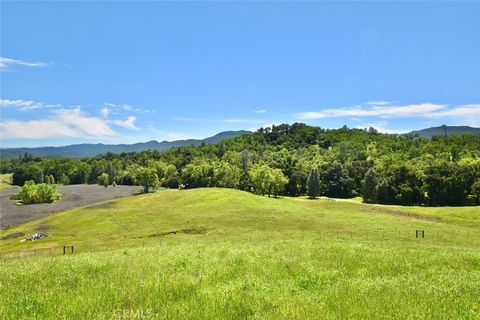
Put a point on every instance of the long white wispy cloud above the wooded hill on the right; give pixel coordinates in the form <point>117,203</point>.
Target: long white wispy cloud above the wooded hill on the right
<point>384,110</point>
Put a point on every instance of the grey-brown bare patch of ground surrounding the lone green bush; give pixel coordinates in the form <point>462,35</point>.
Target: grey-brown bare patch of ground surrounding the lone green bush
<point>72,196</point>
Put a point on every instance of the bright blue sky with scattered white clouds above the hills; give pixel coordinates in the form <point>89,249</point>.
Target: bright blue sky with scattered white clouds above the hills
<point>126,72</point>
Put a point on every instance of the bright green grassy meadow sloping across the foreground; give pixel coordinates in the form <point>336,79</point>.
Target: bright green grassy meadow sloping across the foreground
<point>227,254</point>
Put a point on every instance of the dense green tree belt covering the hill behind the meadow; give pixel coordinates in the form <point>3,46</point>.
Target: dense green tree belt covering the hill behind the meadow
<point>387,169</point>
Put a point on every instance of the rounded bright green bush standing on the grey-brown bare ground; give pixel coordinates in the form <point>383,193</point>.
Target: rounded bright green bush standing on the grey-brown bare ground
<point>37,193</point>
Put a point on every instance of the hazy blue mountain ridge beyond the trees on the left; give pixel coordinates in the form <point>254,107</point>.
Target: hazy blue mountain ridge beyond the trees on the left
<point>91,150</point>
